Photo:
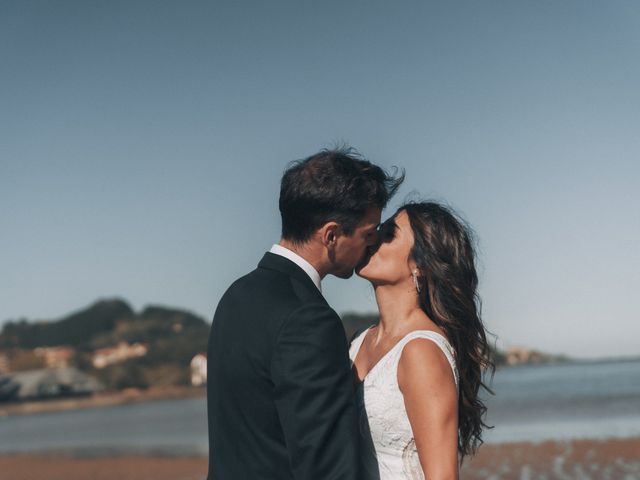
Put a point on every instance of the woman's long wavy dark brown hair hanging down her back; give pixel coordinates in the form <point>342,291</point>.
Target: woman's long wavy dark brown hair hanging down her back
<point>444,254</point>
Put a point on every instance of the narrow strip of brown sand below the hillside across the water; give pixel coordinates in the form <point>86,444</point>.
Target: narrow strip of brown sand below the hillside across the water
<point>103,399</point>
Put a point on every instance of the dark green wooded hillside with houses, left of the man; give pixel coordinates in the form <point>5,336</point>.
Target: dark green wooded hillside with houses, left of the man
<point>172,336</point>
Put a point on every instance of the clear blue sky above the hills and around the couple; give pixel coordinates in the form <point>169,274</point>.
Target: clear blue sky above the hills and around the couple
<point>142,143</point>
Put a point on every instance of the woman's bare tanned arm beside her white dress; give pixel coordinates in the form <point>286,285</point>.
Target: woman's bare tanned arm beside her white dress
<point>431,400</point>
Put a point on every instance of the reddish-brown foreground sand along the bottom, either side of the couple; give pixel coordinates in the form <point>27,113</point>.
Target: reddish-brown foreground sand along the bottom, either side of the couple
<point>579,459</point>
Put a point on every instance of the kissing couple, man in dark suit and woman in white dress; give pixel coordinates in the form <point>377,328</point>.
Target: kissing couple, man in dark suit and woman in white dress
<point>289,398</point>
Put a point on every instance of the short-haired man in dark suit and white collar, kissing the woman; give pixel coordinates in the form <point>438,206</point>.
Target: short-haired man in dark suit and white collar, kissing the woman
<point>280,390</point>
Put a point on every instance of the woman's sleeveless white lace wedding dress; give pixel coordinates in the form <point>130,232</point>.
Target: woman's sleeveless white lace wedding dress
<point>389,450</point>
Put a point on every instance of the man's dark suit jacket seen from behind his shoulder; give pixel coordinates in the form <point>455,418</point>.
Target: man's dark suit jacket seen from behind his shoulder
<point>280,390</point>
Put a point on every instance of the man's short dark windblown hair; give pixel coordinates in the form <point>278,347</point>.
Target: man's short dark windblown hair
<point>332,185</point>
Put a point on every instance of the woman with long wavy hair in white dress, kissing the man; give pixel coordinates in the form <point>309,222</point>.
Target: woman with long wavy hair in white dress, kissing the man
<point>420,369</point>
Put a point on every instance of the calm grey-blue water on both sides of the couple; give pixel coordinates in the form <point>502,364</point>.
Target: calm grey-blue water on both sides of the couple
<point>531,403</point>
